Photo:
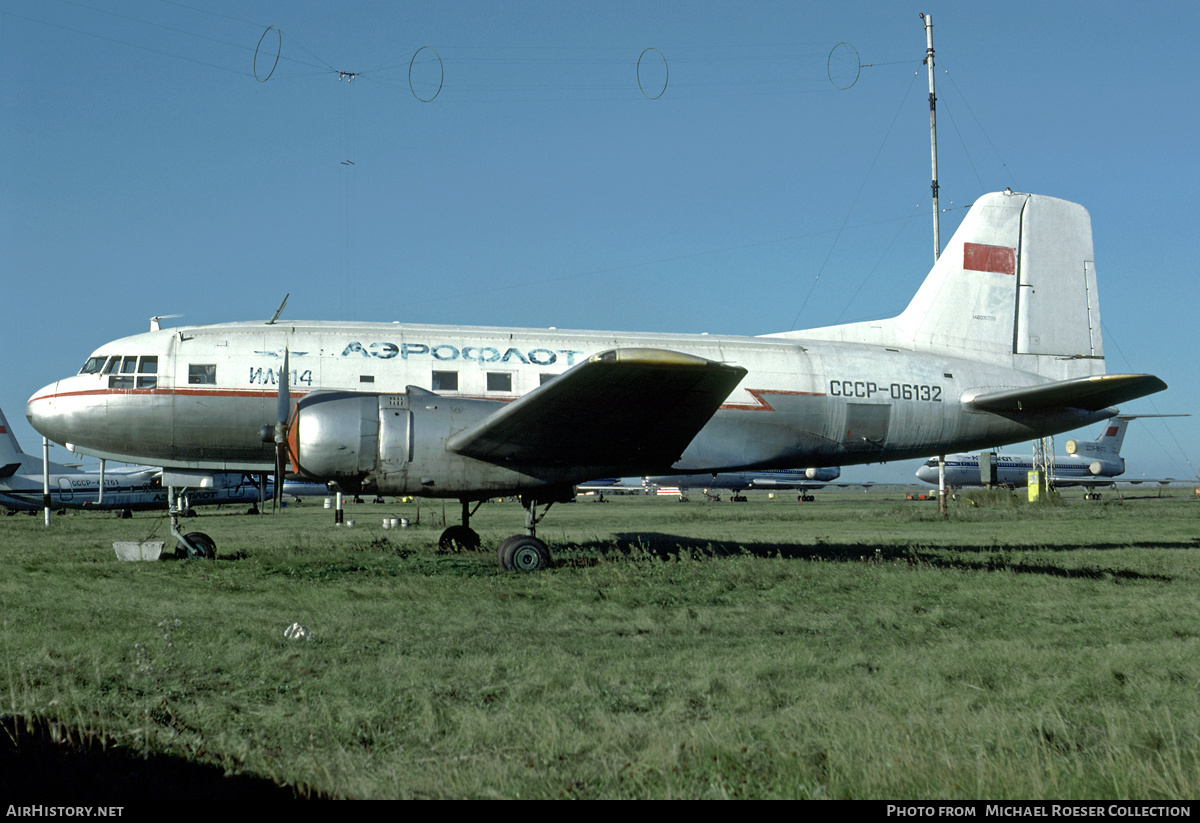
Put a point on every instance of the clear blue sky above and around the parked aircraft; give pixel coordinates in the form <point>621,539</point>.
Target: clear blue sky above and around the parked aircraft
<point>631,166</point>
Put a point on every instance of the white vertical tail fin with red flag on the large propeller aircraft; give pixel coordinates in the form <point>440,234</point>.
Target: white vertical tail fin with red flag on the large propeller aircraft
<point>1016,286</point>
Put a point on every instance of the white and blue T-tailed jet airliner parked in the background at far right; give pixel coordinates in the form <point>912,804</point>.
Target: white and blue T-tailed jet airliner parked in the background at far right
<point>1089,464</point>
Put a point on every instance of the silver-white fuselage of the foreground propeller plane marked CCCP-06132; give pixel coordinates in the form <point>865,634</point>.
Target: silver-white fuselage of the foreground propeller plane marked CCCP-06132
<point>199,398</point>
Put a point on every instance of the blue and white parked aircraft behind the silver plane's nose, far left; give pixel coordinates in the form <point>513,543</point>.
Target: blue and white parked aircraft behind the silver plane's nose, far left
<point>23,480</point>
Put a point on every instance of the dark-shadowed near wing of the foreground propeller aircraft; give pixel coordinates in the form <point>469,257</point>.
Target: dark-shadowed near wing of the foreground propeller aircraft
<point>637,407</point>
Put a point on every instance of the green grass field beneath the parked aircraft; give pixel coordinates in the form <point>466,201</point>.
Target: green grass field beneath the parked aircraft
<point>856,647</point>
